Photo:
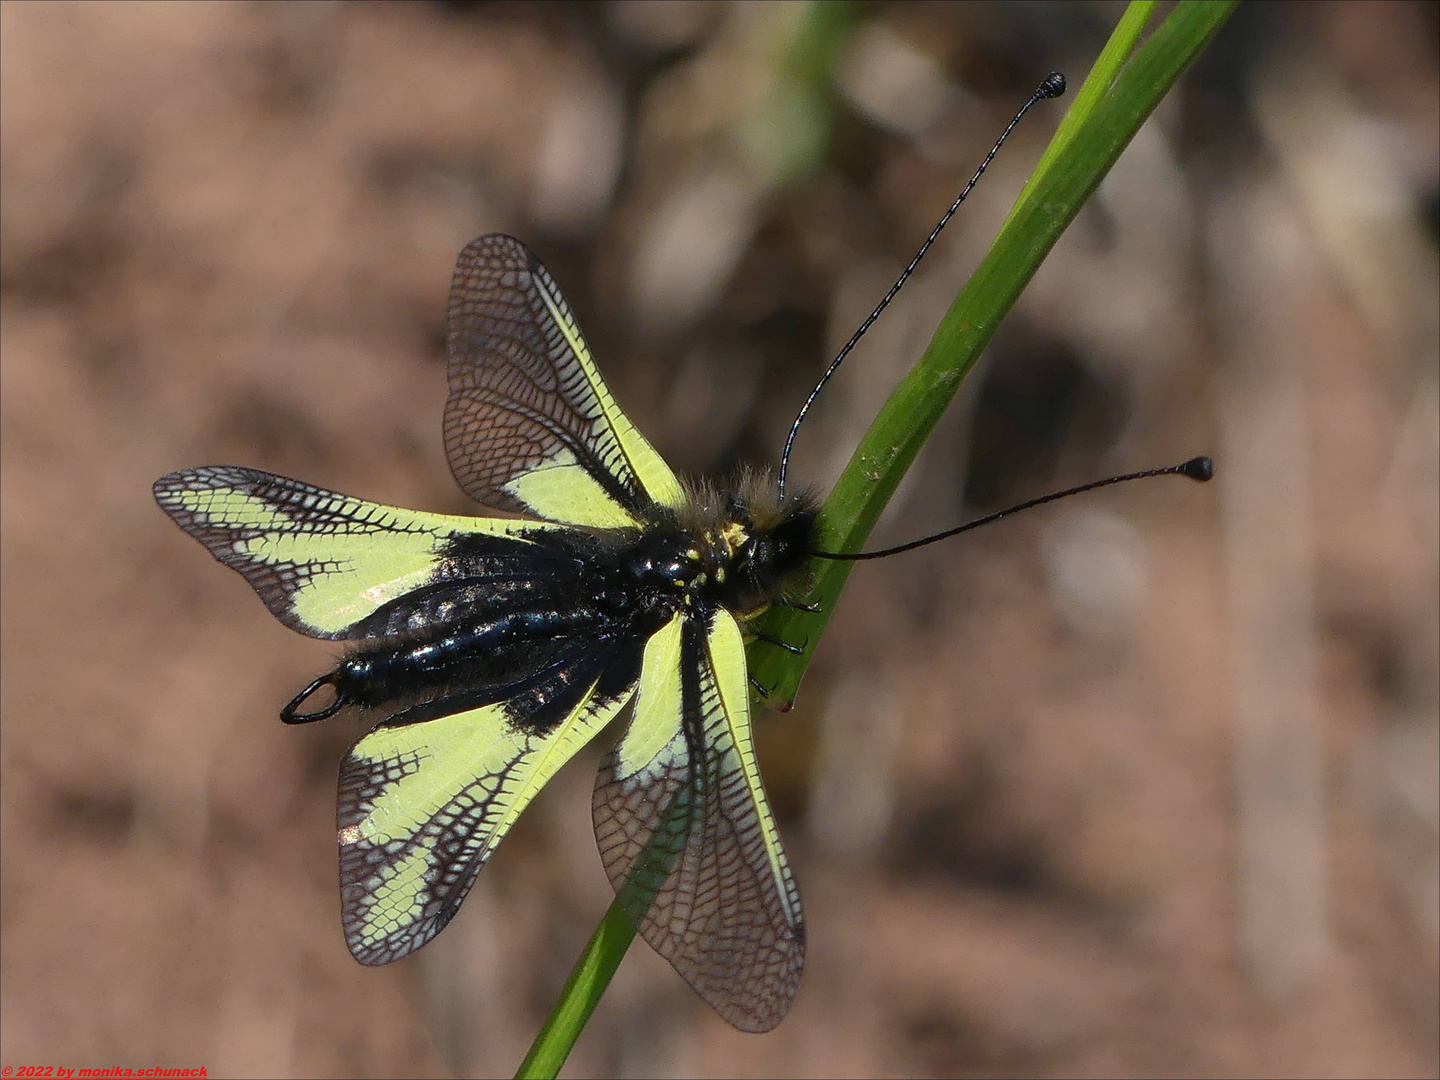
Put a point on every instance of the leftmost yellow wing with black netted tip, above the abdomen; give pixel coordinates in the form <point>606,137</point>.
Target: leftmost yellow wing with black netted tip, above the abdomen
<point>320,561</point>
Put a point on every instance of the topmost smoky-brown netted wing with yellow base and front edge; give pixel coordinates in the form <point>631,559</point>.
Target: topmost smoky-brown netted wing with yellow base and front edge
<point>531,424</point>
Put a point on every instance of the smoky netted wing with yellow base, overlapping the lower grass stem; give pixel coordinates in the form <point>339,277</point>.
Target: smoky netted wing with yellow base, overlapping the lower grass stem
<point>686,833</point>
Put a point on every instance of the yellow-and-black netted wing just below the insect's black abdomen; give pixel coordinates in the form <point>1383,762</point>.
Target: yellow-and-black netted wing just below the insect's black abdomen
<point>423,807</point>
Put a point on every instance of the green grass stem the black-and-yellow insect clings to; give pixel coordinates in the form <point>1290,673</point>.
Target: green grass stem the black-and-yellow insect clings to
<point>1118,96</point>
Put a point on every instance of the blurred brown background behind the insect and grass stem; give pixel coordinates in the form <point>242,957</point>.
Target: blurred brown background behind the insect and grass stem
<point>1144,784</point>
